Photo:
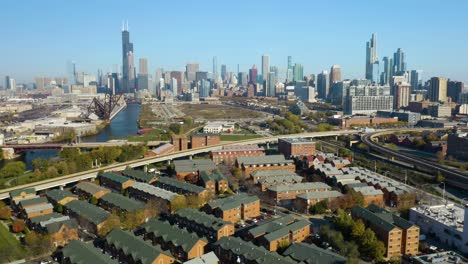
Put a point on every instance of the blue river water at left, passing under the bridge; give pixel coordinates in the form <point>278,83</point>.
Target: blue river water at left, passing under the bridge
<point>123,125</point>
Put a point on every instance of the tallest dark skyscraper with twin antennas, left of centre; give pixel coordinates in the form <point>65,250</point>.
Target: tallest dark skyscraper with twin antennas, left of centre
<point>128,72</point>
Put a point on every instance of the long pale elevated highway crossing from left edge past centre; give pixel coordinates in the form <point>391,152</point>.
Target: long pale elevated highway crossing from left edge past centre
<point>67,179</point>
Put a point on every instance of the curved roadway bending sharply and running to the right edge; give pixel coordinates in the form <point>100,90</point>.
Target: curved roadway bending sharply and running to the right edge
<point>453,177</point>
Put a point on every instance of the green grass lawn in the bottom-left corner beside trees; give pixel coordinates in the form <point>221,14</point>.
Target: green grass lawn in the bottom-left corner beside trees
<point>10,246</point>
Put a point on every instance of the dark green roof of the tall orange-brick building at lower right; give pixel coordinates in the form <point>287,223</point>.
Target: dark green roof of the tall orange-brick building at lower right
<point>380,218</point>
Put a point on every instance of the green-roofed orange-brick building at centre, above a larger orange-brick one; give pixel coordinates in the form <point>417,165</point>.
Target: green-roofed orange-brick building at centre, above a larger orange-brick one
<point>235,208</point>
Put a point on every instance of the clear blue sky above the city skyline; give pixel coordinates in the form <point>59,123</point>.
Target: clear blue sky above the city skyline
<point>39,37</point>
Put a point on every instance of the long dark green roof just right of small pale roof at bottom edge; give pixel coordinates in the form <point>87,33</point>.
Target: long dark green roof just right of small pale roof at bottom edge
<point>251,253</point>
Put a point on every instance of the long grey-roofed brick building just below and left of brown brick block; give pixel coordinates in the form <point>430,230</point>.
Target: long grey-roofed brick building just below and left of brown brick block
<point>261,163</point>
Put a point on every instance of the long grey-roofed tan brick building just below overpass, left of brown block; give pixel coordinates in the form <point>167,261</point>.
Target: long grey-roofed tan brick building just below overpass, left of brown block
<point>229,154</point>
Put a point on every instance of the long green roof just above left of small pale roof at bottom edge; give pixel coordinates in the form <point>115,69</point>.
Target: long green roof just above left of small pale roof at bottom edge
<point>171,233</point>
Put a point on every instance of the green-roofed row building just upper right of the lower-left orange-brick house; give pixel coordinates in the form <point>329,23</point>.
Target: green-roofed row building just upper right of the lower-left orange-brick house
<point>88,216</point>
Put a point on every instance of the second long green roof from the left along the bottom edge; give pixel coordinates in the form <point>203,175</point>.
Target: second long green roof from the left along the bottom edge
<point>139,250</point>
